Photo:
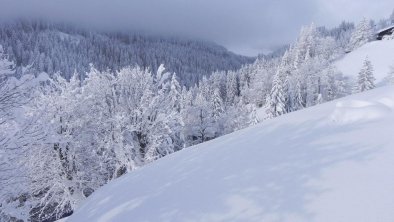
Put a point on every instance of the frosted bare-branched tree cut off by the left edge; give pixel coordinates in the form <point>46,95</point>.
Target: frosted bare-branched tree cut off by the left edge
<point>19,132</point>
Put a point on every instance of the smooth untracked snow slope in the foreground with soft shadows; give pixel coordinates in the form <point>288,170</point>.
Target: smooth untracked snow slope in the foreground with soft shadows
<point>332,162</point>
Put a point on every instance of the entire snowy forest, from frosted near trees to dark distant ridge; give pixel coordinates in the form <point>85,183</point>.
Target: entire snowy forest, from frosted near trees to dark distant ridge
<point>79,109</point>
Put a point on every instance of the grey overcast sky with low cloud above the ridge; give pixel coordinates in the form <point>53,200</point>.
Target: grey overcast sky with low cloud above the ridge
<point>243,26</point>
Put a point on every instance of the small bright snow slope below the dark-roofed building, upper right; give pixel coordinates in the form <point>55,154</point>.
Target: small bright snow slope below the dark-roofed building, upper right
<point>380,53</point>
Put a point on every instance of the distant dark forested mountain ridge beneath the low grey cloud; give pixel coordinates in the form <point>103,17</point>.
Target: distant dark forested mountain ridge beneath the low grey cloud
<point>49,47</point>
